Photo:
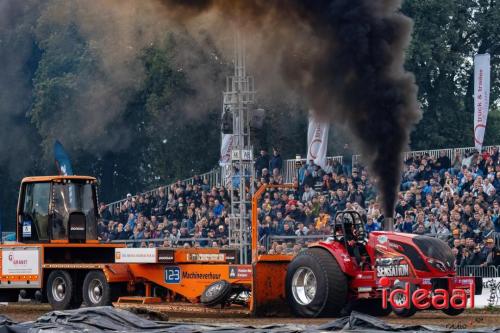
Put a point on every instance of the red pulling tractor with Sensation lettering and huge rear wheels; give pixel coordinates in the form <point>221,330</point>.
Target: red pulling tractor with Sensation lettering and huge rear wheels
<point>351,270</point>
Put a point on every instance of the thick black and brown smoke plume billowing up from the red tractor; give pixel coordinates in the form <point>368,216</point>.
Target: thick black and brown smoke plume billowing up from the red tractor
<point>346,57</point>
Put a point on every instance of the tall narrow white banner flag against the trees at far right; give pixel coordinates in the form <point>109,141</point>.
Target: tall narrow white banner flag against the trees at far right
<point>481,97</point>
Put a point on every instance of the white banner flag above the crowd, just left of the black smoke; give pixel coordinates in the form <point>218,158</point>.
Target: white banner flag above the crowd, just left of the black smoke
<point>317,142</point>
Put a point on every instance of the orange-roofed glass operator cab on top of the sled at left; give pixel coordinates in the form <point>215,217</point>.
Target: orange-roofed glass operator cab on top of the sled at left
<point>57,209</point>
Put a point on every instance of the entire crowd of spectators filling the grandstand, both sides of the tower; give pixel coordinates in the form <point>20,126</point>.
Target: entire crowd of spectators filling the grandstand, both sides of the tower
<point>455,200</point>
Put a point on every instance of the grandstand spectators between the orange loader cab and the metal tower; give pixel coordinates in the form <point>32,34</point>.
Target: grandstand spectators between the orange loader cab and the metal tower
<point>181,215</point>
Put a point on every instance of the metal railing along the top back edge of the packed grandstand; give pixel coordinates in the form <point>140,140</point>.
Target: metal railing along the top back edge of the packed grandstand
<point>215,177</point>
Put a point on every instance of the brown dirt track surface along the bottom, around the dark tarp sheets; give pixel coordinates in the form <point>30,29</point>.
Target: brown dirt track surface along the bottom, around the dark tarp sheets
<point>26,312</point>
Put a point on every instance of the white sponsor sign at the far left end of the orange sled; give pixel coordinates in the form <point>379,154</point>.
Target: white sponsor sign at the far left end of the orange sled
<point>20,261</point>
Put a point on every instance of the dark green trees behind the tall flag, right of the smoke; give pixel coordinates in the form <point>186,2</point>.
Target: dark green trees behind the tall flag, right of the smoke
<point>447,34</point>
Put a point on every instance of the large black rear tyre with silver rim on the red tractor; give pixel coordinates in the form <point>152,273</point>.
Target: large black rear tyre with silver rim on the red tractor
<point>315,284</point>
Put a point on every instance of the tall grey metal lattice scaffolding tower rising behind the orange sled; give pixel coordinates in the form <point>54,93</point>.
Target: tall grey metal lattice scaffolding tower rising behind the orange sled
<point>239,100</point>
